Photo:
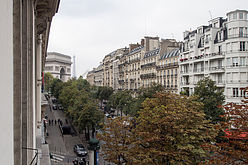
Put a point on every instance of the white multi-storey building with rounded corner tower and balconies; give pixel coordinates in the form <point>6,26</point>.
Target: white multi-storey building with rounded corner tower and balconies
<point>219,51</point>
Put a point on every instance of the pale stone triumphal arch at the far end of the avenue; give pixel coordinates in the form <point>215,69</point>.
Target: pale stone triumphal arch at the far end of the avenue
<point>59,65</point>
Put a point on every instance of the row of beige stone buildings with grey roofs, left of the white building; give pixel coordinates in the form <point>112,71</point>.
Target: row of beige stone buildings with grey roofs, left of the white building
<point>142,65</point>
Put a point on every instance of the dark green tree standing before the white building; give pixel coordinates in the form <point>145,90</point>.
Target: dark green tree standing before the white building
<point>212,98</point>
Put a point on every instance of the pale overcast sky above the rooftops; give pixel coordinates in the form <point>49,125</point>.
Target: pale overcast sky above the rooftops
<point>90,29</point>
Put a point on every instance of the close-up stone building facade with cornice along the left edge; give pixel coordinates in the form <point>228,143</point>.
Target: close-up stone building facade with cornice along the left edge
<point>24,36</point>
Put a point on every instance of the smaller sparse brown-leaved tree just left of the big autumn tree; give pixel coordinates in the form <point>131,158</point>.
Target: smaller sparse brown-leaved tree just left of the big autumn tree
<point>116,140</point>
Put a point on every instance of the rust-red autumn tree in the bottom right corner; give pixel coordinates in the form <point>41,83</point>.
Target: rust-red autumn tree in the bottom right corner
<point>234,150</point>
